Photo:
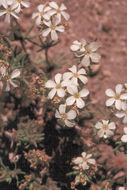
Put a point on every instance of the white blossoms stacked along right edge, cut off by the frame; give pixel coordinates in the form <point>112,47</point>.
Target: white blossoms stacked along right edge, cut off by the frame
<point>118,101</point>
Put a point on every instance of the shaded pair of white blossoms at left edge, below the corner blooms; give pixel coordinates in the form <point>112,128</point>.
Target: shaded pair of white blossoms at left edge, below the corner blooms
<point>9,79</point>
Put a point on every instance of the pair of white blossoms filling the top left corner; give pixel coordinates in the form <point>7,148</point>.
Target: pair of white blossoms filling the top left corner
<point>12,8</point>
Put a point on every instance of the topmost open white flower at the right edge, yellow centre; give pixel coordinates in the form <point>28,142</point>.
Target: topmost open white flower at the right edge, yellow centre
<point>116,97</point>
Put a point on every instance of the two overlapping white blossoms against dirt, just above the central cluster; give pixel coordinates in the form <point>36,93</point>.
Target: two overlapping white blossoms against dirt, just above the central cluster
<point>87,52</point>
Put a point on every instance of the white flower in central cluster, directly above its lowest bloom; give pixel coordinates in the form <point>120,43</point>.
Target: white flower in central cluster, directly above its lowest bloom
<point>76,97</point>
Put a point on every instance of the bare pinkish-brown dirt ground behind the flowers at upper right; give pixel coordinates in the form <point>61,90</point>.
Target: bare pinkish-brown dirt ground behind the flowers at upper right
<point>104,20</point>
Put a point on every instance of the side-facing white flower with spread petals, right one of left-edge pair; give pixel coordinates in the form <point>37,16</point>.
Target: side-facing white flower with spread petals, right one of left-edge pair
<point>10,81</point>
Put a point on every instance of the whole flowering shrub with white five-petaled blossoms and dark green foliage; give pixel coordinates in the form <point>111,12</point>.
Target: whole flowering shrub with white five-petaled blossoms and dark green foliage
<point>41,131</point>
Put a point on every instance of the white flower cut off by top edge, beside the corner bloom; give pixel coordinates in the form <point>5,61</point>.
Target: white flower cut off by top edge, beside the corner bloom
<point>19,3</point>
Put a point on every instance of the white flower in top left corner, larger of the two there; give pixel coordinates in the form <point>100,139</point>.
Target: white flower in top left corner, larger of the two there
<point>10,10</point>
